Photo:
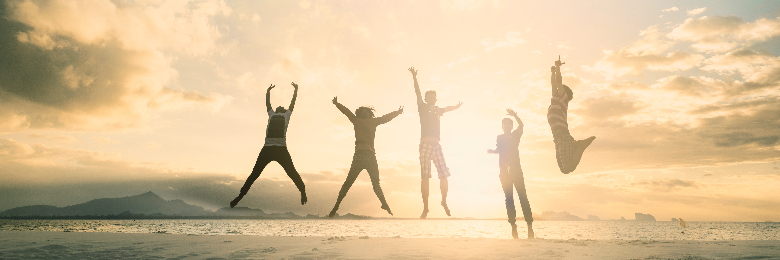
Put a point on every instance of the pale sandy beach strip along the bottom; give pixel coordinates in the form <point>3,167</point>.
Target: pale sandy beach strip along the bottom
<point>84,245</point>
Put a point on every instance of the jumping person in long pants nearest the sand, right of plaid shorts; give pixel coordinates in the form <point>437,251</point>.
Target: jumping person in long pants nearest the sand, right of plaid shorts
<point>511,173</point>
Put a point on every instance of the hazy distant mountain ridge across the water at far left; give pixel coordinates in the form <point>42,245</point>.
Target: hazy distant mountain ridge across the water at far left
<point>146,204</point>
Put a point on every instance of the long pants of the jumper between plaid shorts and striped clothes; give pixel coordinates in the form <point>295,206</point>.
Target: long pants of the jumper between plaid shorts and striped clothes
<point>511,175</point>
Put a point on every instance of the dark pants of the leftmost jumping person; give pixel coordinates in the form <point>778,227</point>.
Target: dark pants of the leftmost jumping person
<point>280,155</point>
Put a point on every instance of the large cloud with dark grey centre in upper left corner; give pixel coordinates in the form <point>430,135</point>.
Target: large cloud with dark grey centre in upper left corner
<point>98,65</point>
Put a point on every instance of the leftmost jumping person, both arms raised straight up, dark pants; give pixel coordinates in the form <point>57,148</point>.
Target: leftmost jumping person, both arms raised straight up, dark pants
<point>275,148</point>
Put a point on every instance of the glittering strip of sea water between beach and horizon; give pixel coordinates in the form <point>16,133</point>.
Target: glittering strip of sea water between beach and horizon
<point>601,230</point>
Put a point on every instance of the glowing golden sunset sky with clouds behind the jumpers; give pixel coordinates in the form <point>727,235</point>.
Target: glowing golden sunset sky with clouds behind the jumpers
<point>116,98</point>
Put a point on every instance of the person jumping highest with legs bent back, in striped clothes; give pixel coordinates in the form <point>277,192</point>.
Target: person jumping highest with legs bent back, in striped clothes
<point>568,152</point>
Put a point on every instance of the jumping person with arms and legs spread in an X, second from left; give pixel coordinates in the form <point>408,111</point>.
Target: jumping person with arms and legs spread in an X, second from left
<point>365,156</point>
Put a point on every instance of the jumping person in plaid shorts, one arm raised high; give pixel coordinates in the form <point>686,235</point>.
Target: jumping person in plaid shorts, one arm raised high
<point>430,149</point>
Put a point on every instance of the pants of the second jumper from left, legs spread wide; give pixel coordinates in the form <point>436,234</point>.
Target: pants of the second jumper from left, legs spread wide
<point>363,159</point>
